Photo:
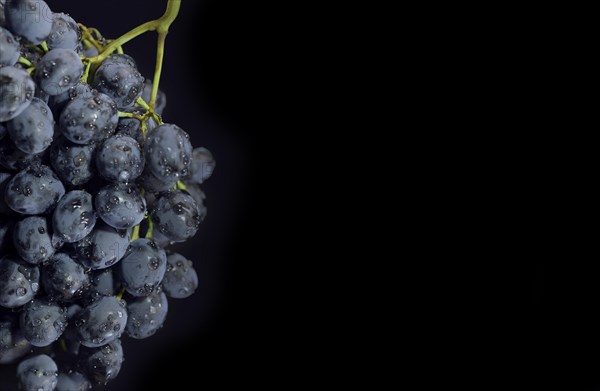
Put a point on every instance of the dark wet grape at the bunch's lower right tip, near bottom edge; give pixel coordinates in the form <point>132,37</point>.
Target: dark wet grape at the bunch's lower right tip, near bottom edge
<point>102,364</point>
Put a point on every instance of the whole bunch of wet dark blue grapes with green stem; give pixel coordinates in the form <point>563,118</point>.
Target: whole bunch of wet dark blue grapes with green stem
<point>94,188</point>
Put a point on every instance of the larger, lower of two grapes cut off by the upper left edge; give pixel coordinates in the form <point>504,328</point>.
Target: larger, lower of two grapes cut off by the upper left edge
<point>17,89</point>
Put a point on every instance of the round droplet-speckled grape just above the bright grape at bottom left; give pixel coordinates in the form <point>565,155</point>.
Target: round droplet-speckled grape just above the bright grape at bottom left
<point>43,322</point>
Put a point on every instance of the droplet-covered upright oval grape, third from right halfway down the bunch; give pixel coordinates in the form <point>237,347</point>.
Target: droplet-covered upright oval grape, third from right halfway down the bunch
<point>74,216</point>
